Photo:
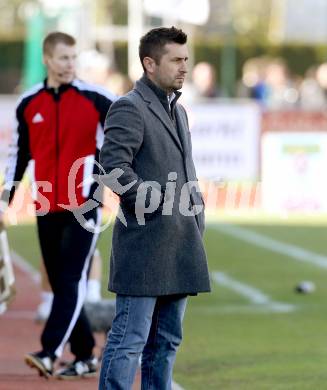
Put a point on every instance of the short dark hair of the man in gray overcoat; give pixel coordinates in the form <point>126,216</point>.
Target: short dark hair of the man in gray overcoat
<point>153,42</point>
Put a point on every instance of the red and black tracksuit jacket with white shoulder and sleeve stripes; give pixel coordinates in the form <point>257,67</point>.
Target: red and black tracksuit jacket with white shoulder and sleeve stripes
<point>54,129</point>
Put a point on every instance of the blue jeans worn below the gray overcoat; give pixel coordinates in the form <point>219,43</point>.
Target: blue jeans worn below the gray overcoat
<point>151,326</point>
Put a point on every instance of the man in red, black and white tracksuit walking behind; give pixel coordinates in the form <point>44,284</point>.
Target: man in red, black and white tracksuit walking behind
<point>60,123</point>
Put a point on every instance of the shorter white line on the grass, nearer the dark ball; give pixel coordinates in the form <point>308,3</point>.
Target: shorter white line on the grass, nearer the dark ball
<point>254,295</point>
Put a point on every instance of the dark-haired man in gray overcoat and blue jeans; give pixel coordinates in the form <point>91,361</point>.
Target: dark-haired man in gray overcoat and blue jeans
<point>157,257</point>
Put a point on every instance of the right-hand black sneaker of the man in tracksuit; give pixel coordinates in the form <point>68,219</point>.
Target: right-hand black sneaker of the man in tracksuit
<point>78,369</point>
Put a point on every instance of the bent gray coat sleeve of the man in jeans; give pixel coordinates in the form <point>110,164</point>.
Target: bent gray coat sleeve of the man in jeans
<point>124,133</point>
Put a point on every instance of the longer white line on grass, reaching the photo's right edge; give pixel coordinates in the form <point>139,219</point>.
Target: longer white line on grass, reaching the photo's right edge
<point>265,242</point>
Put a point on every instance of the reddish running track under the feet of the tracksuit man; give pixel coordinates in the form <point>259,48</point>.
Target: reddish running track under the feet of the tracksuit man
<point>19,334</point>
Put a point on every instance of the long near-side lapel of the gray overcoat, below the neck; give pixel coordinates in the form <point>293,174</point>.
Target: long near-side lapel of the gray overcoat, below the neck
<point>156,107</point>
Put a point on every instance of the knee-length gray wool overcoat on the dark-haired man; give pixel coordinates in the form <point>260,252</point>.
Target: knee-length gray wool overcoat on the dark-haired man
<point>162,253</point>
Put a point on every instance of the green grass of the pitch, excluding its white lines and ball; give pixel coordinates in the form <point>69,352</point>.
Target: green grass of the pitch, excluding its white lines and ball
<point>228,344</point>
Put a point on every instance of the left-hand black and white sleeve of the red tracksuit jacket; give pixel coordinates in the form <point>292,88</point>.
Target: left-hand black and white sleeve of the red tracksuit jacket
<point>18,156</point>
